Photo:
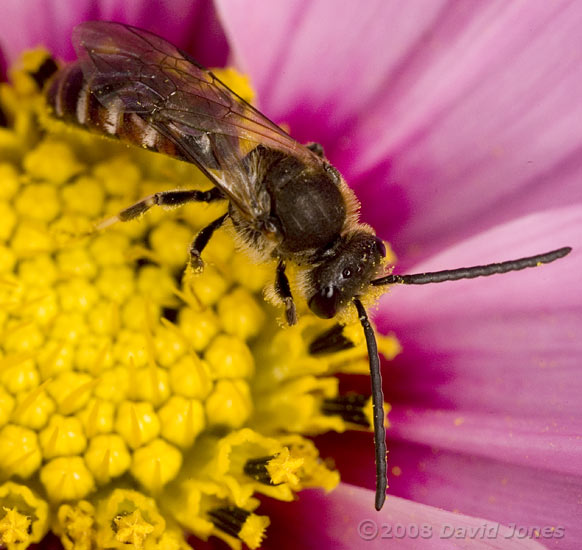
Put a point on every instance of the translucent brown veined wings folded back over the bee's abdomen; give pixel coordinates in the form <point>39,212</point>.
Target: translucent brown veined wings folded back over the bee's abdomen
<point>213,127</point>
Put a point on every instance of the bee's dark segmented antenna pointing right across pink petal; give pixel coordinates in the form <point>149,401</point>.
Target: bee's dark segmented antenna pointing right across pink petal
<point>472,272</point>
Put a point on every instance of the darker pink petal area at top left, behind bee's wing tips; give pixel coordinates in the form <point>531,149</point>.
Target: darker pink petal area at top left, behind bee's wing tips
<point>190,24</point>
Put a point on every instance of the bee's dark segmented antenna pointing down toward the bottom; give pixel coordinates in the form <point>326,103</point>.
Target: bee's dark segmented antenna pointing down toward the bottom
<point>377,405</point>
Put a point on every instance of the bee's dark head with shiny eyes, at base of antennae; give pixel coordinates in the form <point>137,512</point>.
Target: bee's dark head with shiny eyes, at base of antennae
<point>346,273</point>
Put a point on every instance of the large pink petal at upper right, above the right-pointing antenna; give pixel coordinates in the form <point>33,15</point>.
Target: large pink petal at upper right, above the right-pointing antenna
<point>460,116</point>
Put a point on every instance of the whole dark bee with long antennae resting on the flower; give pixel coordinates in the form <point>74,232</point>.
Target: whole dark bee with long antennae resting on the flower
<point>286,202</point>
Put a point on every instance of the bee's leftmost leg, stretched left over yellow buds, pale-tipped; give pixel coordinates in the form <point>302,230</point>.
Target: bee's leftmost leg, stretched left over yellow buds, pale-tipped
<point>172,198</point>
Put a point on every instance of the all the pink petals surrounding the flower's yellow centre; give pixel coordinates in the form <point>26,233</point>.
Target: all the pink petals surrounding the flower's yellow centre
<point>458,127</point>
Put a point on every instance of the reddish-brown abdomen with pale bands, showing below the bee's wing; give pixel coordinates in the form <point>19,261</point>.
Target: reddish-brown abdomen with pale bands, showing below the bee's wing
<point>71,100</point>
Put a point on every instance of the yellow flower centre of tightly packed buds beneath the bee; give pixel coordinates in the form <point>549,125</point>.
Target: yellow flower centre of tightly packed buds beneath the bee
<point>120,367</point>
